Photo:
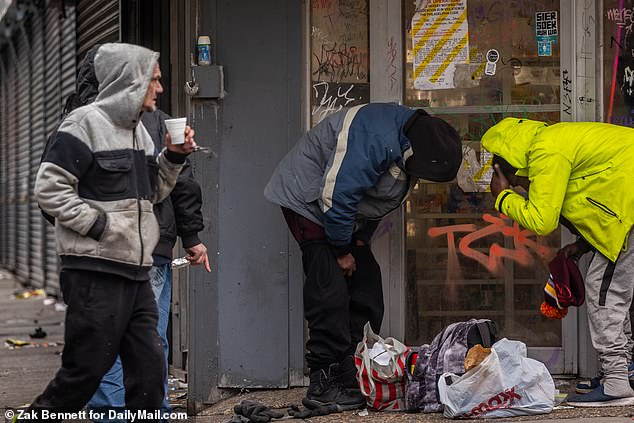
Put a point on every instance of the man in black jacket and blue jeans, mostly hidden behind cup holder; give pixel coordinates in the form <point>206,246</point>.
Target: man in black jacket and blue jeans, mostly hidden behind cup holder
<point>178,215</point>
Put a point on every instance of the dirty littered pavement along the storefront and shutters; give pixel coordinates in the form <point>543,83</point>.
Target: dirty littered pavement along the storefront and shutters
<point>31,326</point>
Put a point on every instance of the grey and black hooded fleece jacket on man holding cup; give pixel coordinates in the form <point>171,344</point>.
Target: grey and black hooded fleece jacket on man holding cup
<point>100,176</point>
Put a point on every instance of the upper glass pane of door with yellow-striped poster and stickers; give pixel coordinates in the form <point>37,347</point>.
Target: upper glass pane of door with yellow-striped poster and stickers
<point>480,53</point>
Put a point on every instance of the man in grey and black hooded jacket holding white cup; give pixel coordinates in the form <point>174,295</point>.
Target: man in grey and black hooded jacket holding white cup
<point>99,180</point>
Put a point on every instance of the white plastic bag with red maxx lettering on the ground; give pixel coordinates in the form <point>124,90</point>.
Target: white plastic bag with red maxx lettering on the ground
<point>505,384</point>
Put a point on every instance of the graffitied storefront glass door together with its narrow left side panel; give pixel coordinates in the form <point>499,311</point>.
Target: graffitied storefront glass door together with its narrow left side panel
<point>451,256</point>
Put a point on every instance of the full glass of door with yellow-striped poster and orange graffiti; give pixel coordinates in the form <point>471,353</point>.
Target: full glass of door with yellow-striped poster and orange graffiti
<point>473,63</point>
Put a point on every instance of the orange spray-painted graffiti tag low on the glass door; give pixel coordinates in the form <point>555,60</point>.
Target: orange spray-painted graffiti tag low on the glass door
<point>524,242</point>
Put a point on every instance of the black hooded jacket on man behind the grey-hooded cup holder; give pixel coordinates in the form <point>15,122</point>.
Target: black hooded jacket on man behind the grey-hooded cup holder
<point>180,213</point>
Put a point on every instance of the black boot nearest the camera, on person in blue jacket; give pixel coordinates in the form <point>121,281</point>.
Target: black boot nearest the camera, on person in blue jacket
<point>325,390</point>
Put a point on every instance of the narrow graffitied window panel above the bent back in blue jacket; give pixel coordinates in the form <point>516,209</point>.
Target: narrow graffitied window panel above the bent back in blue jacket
<point>340,66</point>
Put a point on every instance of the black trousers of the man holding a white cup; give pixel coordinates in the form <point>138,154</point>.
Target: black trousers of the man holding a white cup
<point>107,315</point>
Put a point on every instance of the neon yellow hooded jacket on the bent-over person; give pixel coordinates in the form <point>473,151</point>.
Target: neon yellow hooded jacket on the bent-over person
<point>581,170</point>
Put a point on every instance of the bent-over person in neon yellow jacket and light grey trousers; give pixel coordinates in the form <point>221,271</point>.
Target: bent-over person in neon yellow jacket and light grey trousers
<point>583,172</point>
